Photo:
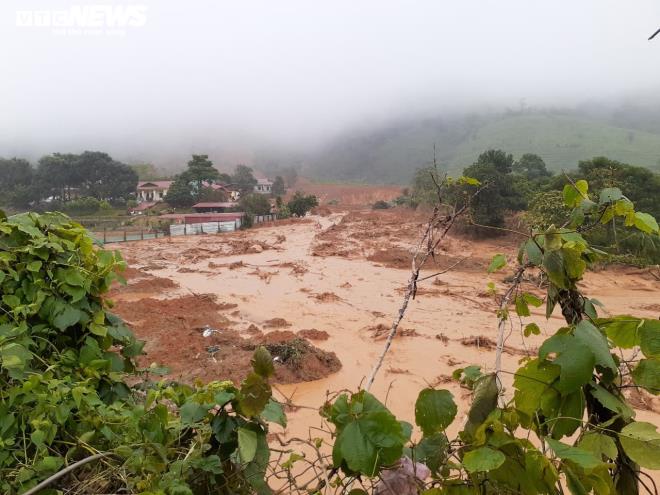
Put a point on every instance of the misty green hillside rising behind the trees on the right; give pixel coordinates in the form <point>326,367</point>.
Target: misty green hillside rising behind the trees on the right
<point>391,154</point>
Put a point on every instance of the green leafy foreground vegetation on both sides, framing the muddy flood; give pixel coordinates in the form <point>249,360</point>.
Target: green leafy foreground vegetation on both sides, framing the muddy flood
<point>71,394</point>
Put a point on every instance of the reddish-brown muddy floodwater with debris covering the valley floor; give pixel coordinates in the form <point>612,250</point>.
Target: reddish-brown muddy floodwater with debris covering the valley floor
<point>332,285</point>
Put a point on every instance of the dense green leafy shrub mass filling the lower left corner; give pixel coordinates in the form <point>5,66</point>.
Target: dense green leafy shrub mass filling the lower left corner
<point>65,367</point>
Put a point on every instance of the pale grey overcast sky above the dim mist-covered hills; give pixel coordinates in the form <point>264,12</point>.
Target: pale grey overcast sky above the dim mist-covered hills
<point>202,74</point>
